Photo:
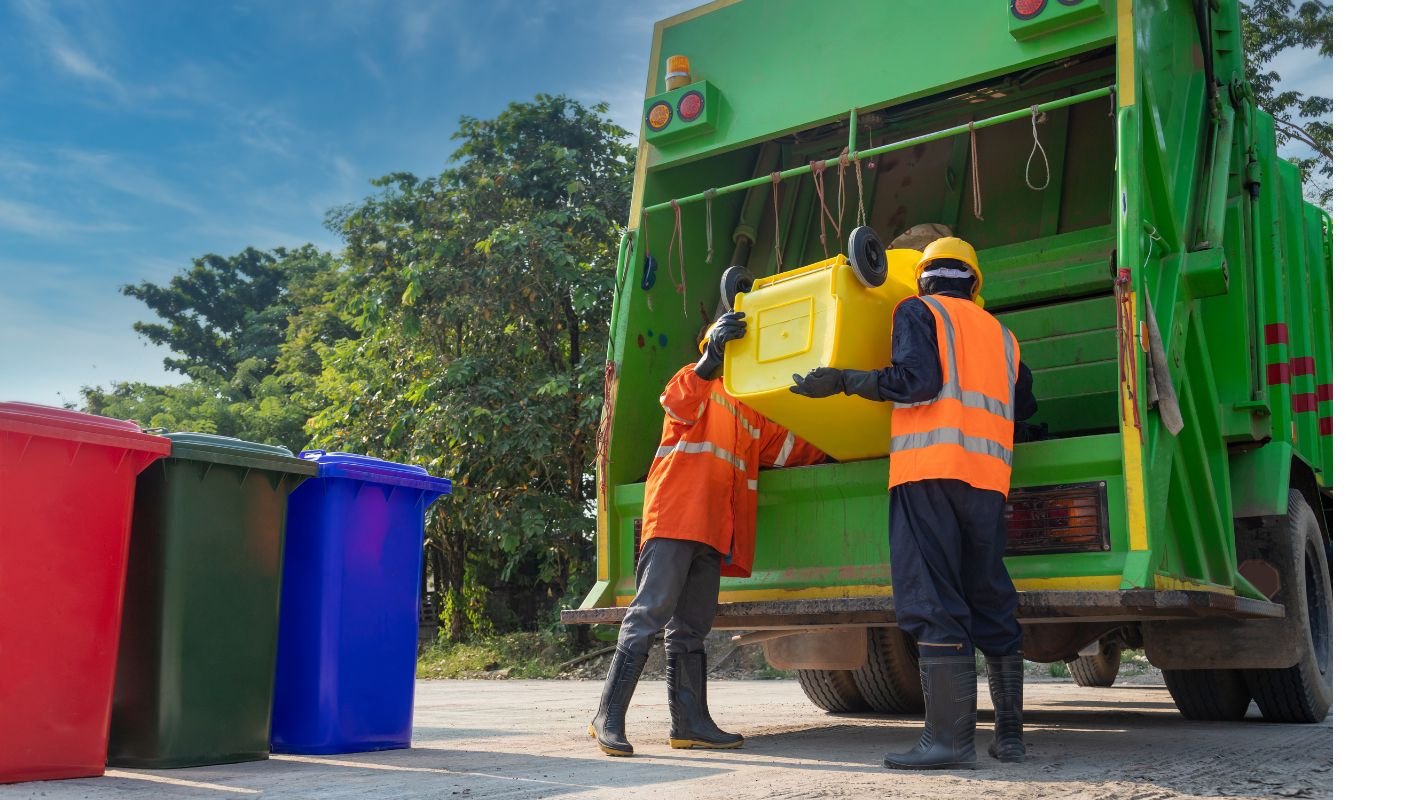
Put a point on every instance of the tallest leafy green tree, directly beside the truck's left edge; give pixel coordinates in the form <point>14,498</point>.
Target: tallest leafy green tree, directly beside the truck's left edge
<point>481,296</point>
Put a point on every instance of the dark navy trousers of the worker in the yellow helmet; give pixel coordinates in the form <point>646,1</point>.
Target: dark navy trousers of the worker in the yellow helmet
<point>951,589</point>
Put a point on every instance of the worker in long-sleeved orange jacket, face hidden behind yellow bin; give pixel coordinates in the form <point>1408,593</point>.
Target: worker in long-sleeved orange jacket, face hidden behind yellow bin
<point>699,524</point>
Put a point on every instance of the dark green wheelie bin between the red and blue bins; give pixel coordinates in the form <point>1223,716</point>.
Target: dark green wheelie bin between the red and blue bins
<point>197,657</point>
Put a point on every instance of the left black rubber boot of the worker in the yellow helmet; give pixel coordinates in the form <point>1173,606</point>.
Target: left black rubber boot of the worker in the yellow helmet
<point>949,717</point>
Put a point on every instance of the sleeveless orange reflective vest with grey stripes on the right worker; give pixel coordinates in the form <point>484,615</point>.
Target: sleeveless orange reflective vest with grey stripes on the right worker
<point>966,431</point>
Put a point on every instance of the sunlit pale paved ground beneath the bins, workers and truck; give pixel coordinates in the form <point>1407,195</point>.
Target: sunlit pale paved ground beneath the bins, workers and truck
<point>517,740</point>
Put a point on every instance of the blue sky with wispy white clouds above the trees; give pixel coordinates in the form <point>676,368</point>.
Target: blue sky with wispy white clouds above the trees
<point>139,134</point>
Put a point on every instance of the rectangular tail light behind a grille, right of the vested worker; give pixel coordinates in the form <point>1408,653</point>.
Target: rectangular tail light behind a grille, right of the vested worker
<point>1059,519</point>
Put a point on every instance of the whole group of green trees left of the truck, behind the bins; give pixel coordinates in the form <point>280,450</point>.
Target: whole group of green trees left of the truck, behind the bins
<point>463,330</point>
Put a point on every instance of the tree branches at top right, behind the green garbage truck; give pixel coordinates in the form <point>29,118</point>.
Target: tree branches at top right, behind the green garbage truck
<point>1271,28</point>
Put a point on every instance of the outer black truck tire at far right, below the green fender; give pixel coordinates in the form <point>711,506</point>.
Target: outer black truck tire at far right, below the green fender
<point>1302,693</point>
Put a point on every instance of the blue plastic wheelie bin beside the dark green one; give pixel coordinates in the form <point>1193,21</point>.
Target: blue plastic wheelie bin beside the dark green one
<point>351,606</point>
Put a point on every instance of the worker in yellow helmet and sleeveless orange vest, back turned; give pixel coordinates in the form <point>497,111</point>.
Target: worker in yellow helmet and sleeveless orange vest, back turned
<point>959,389</point>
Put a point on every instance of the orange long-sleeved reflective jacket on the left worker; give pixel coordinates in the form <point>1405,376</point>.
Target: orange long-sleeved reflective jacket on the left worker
<point>703,484</point>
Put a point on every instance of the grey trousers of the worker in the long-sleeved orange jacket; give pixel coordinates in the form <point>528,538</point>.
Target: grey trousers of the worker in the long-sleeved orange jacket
<point>678,588</point>
